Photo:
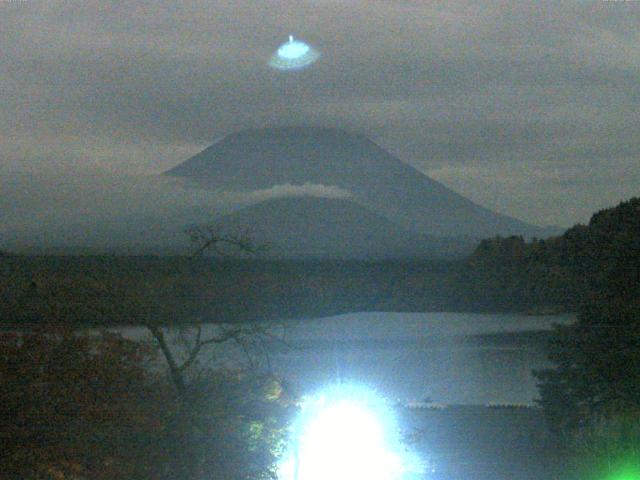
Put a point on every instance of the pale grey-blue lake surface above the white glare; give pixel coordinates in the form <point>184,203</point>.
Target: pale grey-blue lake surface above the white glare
<point>450,358</point>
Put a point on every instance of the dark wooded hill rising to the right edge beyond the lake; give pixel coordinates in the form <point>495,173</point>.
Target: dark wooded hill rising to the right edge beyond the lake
<point>559,273</point>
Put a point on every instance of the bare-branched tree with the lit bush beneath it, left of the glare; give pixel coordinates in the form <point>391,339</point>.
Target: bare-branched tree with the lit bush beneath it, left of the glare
<point>222,424</point>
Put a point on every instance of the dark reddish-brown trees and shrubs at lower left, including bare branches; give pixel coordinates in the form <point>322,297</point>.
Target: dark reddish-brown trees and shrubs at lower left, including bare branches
<point>93,404</point>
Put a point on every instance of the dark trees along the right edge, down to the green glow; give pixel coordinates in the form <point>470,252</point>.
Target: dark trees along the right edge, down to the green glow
<point>592,394</point>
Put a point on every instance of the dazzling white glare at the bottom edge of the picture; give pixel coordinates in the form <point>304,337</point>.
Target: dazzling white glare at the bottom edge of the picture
<point>344,434</point>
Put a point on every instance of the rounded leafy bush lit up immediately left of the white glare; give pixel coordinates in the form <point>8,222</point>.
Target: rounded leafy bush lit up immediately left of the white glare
<point>229,425</point>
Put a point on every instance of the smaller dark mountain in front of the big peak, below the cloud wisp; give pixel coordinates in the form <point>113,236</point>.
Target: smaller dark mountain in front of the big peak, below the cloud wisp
<point>309,227</point>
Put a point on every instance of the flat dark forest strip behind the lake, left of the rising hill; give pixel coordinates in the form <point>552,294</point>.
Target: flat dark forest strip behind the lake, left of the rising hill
<point>111,290</point>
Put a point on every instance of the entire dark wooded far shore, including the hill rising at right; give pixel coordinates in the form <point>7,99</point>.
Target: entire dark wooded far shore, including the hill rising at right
<point>502,275</point>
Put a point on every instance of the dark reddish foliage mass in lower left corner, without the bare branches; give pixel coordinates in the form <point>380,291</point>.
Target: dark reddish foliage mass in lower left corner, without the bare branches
<point>87,406</point>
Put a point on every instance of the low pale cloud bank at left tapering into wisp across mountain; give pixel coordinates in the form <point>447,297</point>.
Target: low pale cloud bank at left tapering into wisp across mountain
<point>54,207</point>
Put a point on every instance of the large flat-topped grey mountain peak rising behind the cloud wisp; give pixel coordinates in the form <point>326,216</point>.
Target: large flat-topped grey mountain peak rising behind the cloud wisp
<point>262,158</point>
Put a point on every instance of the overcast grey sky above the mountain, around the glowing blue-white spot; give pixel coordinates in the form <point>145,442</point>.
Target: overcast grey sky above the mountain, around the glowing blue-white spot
<point>527,108</point>
